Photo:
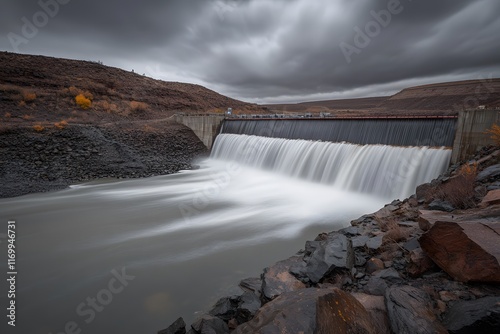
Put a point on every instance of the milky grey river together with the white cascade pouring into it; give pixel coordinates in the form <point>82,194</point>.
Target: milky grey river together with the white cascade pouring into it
<point>132,256</point>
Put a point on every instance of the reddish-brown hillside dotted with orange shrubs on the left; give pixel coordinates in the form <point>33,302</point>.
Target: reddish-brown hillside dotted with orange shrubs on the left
<point>38,88</point>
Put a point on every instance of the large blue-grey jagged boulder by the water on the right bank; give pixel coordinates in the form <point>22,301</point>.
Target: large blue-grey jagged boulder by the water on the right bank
<point>324,256</point>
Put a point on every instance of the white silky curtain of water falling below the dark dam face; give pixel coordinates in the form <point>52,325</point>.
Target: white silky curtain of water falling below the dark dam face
<point>386,171</point>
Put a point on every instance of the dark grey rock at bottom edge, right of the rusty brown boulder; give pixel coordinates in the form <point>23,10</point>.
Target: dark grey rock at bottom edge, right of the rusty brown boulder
<point>410,311</point>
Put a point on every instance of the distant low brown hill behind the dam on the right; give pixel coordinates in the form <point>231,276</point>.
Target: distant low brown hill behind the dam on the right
<point>435,99</point>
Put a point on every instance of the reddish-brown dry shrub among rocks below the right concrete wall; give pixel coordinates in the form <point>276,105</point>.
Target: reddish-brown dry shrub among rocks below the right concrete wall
<point>459,191</point>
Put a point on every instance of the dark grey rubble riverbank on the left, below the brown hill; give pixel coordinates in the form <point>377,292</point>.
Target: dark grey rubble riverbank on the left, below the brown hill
<point>52,159</point>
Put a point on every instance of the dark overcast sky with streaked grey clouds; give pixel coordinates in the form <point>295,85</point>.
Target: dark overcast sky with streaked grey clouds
<point>268,51</point>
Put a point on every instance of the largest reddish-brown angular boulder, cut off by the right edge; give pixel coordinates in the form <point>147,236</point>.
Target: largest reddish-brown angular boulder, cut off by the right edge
<point>467,251</point>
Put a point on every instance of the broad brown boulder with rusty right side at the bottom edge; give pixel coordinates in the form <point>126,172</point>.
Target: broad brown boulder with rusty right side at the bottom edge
<point>306,311</point>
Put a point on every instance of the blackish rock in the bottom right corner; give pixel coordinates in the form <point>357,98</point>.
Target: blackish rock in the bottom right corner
<point>476,316</point>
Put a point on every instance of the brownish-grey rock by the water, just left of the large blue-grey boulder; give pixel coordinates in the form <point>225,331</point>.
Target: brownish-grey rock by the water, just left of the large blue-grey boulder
<point>278,279</point>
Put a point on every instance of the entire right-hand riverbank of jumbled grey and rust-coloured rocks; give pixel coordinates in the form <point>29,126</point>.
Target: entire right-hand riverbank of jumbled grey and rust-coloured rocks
<point>428,264</point>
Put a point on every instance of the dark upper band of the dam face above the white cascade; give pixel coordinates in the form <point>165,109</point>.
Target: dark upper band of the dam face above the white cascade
<point>434,132</point>
